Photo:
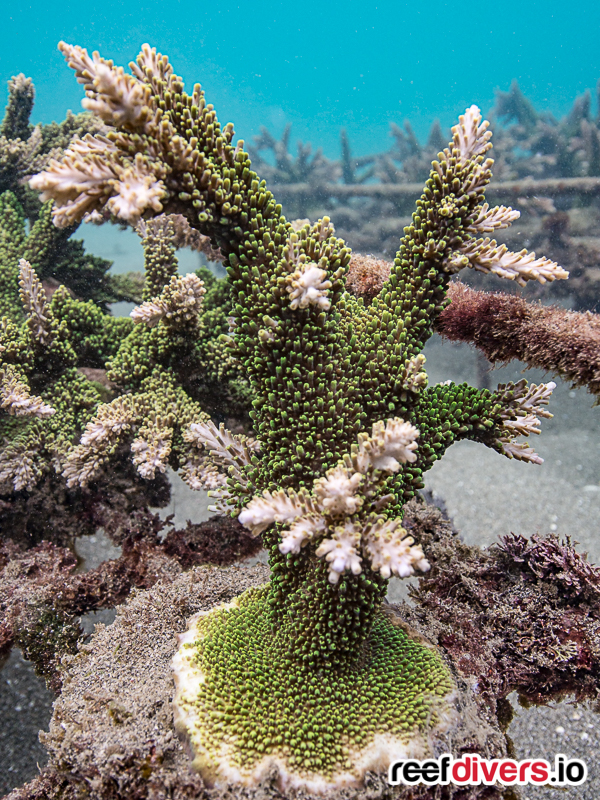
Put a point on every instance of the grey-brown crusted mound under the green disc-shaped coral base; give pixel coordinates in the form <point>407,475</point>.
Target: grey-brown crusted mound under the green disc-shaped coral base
<point>112,734</point>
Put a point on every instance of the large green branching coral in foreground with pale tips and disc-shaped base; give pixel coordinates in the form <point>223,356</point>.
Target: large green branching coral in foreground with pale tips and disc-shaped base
<point>309,672</point>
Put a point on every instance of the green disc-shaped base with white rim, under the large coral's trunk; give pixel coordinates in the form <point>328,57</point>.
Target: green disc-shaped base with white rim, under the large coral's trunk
<point>245,703</point>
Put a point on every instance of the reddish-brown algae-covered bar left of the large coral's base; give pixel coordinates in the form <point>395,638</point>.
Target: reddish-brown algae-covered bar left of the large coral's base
<point>41,597</point>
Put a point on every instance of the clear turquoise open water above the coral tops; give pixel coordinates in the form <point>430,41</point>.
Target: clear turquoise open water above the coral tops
<point>321,65</point>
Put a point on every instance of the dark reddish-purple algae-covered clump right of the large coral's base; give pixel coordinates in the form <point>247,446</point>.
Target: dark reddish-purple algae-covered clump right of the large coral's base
<point>523,616</point>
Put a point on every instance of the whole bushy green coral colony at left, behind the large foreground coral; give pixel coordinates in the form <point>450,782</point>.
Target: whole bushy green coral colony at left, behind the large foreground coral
<point>64,359</point>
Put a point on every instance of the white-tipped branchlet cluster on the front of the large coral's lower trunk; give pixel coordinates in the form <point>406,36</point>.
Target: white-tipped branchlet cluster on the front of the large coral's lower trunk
<point>348,490</point>
